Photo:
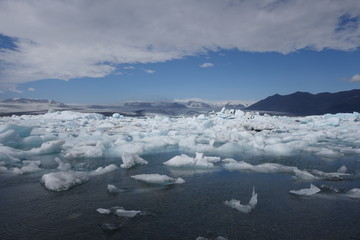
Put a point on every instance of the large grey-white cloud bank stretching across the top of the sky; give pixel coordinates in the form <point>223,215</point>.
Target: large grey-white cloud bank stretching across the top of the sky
<point>72,39</point>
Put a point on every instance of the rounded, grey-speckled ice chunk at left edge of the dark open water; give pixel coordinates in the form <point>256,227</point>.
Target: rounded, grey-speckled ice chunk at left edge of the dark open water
<point>60,181</point>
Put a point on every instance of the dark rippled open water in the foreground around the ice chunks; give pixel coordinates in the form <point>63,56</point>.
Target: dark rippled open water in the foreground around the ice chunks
<point>186,211</point>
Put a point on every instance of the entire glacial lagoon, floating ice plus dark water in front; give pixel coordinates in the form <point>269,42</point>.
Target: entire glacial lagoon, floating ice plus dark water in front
<point>222,175</point>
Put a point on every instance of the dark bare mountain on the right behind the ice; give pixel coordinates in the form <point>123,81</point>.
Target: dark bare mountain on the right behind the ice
<point>304,103</point>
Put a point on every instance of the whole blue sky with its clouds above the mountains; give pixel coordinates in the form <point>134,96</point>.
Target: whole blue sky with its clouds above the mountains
<point>102,52</point>
